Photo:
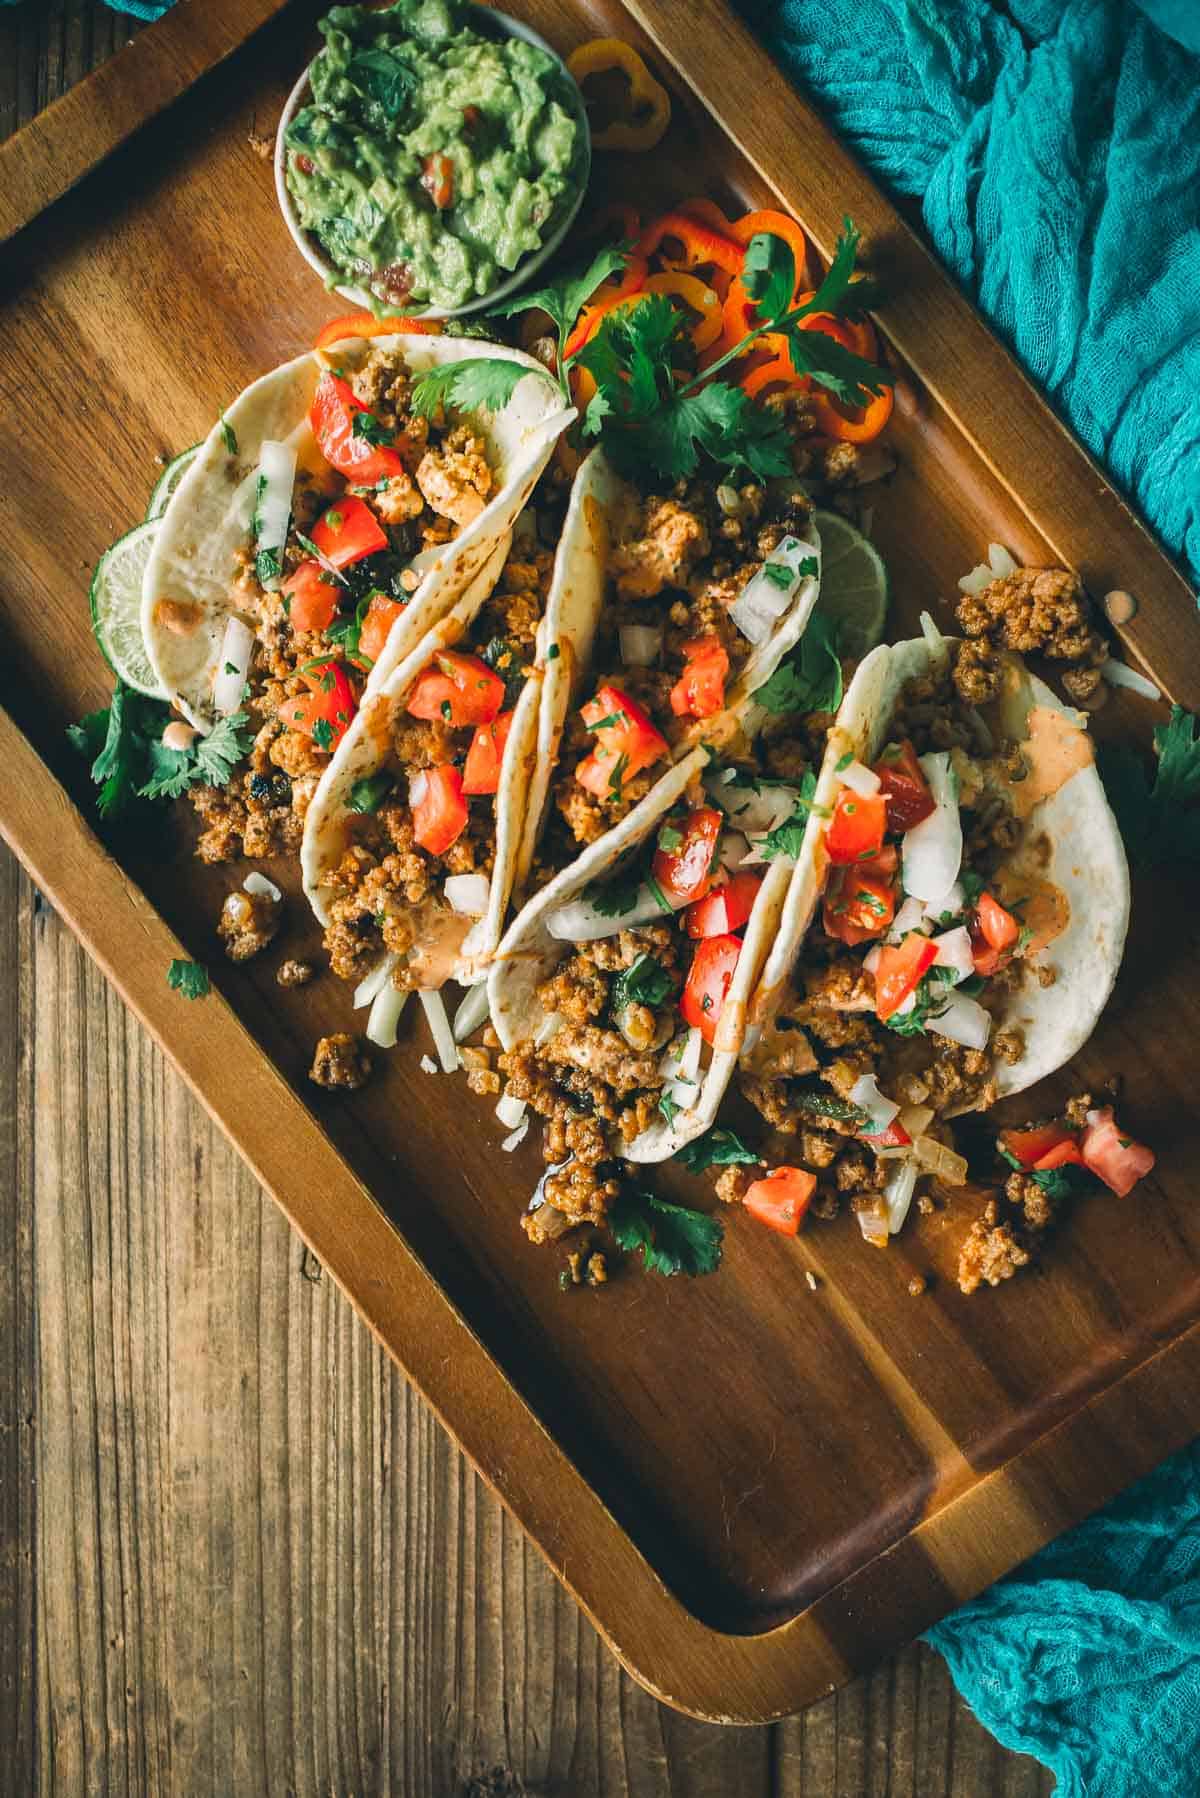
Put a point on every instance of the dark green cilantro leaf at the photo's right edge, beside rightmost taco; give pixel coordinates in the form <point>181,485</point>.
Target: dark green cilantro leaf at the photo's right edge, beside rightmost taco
<point>1154,815</point>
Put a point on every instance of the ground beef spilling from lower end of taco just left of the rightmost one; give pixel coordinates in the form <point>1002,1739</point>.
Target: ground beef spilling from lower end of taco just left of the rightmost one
<point>596,1080</point>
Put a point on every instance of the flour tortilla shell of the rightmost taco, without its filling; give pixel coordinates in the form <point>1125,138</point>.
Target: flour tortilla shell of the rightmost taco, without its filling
<point>1086,862</point>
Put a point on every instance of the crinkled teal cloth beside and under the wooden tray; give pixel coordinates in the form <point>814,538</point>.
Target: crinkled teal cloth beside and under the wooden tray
<point>1055,150</point>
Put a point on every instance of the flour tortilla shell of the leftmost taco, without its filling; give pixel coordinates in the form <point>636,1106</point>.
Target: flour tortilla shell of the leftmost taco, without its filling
<point>208,522</point>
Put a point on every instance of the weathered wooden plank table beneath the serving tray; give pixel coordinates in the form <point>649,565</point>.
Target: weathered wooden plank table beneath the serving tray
<point>237,1551</point>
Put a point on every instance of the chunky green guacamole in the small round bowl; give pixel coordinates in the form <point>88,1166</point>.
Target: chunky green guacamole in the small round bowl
<point>433,157</point>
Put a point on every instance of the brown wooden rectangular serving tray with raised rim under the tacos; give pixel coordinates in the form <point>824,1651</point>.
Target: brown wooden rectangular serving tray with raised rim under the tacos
<point>755,1490</point>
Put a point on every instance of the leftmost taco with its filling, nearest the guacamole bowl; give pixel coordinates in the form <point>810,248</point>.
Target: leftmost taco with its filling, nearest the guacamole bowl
<point>325,517</point>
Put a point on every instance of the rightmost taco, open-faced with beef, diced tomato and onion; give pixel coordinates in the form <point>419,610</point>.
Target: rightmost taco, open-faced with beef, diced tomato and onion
<point>953,929</point>
